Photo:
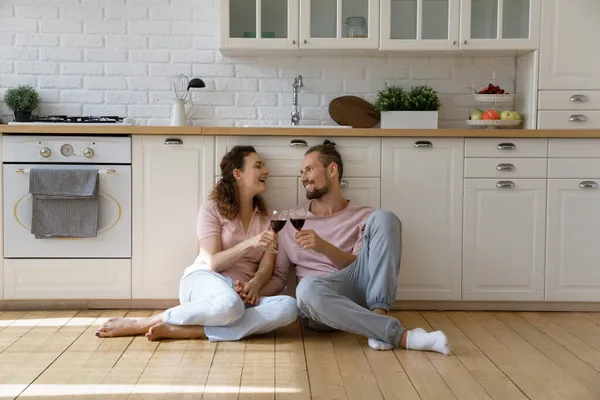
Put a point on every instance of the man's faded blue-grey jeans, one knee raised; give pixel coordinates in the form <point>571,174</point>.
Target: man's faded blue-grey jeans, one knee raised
<point>344,300</point>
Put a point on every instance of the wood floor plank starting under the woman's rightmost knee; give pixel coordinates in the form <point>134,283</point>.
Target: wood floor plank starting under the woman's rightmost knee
<point>291,373</point>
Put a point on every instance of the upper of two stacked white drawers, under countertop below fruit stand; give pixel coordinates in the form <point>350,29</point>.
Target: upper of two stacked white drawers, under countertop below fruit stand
<point>511,147</point>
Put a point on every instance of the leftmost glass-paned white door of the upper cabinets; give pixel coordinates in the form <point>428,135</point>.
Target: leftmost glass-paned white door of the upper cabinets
<point>277,20</point>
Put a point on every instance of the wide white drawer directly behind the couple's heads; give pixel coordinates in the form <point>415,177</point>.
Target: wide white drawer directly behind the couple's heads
<point>284,155</point>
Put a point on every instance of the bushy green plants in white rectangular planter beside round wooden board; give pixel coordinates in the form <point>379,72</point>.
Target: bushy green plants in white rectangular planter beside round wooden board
<point>417,109</point>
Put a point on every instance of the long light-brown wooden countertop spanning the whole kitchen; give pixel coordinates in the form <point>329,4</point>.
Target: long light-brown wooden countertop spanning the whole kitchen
<point>285,131</point>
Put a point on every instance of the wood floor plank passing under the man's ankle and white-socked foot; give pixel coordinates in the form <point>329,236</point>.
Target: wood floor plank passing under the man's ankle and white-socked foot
<point>420,370</point>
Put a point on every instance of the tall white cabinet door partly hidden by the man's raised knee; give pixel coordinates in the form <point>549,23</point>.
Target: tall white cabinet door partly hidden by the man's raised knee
<point>422,183</point>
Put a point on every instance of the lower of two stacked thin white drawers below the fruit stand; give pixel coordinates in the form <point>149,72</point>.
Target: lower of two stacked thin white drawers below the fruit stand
<point>505,168</point>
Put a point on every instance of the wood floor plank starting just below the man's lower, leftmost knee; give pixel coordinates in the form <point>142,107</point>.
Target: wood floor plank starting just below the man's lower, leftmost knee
<point>326,382</point>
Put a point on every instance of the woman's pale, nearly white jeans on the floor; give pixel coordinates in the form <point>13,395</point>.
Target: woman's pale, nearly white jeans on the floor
<point>208,299</point>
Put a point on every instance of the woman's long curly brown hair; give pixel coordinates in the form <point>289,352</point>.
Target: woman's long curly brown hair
<point>225,193</point>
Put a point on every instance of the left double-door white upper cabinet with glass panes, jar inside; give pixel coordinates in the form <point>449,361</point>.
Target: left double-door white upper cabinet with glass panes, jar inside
<point>299,24</point>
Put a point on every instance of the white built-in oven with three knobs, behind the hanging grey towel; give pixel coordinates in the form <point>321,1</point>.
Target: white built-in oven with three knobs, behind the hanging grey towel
<point>111,156</point>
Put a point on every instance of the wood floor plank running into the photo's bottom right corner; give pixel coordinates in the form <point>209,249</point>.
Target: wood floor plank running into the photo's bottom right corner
<point>569,363</point>
